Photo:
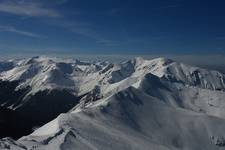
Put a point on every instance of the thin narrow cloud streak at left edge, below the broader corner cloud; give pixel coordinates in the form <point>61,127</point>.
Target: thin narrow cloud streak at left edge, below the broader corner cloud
<point>20,32</point>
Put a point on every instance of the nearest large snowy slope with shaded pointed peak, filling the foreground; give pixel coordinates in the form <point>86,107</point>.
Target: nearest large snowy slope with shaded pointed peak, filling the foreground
<point>129,120</point>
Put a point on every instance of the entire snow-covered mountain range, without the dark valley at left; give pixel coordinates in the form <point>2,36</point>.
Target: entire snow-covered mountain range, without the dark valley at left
<point>139,104</point>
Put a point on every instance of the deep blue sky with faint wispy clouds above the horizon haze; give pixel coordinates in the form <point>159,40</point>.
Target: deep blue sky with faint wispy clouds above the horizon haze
<point>112,26</point>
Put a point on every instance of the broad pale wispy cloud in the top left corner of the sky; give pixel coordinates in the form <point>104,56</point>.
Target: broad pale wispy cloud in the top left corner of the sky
<point>31,9</point>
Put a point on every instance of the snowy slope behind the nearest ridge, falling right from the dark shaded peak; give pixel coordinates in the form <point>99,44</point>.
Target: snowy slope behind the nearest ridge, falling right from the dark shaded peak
<point>174,94</point>
